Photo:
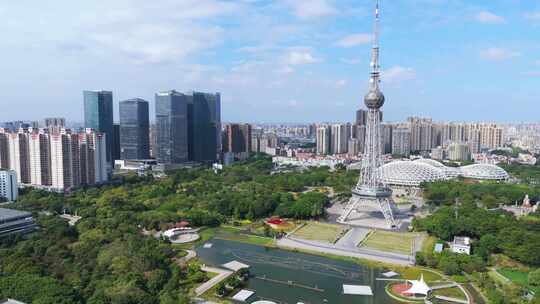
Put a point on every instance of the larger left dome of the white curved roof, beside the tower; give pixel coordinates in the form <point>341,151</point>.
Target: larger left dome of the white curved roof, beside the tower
<point>408,173</point>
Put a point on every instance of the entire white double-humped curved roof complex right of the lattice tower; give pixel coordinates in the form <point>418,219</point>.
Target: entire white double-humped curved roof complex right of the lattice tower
<point>413,173</point>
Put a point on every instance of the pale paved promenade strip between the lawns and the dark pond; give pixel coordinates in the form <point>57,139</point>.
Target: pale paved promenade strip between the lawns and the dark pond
<point>391,258</point>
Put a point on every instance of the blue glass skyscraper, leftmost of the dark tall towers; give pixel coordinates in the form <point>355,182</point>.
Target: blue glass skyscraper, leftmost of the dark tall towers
<point>98,115</point>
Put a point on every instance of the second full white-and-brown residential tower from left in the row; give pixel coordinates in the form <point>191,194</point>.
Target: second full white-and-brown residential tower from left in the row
<point>40,157</point>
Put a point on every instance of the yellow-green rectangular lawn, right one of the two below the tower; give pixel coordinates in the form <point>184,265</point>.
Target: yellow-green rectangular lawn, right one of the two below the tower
<point>390,241</point>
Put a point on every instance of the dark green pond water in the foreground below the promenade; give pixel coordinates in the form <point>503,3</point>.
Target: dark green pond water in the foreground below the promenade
<point>316,280</point>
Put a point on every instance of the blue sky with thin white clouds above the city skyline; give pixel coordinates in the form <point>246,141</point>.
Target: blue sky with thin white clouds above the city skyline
<point>275,60</point>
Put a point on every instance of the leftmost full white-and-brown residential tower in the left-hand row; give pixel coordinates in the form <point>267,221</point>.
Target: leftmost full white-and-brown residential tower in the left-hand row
<point>19,156</point>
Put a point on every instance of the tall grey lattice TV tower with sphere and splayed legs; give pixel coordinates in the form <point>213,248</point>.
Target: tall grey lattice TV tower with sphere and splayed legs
<point>371,190</point>
